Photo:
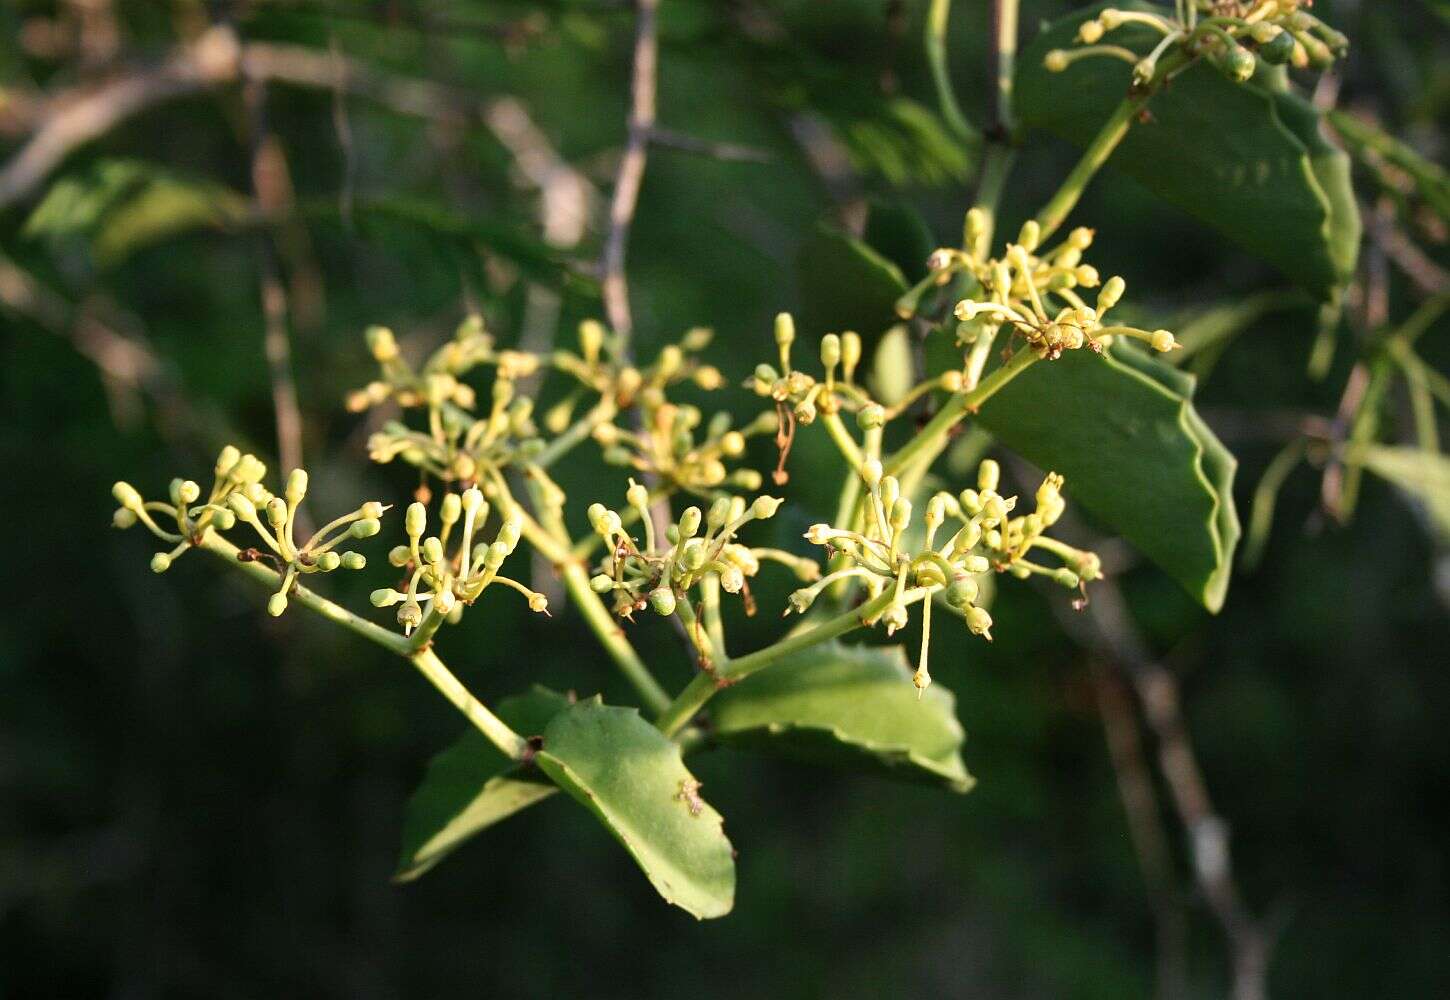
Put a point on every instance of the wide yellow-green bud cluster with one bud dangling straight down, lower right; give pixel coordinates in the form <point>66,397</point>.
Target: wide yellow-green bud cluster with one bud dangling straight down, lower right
<point>888,557</point>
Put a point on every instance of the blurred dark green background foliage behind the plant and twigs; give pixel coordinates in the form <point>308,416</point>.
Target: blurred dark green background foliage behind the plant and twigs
<point>196,799</point>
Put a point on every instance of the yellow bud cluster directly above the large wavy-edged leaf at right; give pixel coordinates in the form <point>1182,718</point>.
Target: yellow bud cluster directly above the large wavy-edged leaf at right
<point>1037,295</point>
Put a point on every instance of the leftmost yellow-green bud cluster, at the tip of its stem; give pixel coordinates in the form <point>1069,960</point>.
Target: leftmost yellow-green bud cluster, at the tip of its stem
<point>239,495</point>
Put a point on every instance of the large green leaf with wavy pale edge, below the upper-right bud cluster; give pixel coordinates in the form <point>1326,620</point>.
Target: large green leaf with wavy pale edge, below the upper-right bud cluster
<point>1136,454</point>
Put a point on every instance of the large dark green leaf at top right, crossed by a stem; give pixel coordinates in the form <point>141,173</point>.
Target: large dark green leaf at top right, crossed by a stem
<point>1248,162</point>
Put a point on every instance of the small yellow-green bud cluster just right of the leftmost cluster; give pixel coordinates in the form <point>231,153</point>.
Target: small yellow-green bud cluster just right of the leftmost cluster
<point>453,582</point>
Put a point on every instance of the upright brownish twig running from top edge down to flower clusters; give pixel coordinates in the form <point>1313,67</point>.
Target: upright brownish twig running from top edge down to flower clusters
<point>643,83</point>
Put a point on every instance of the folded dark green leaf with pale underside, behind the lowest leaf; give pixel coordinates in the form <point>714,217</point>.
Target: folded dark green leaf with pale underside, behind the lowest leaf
<point>472,786</point>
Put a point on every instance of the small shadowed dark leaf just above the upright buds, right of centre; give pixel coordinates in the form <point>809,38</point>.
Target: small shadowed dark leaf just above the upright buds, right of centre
<point>848,286</point>
